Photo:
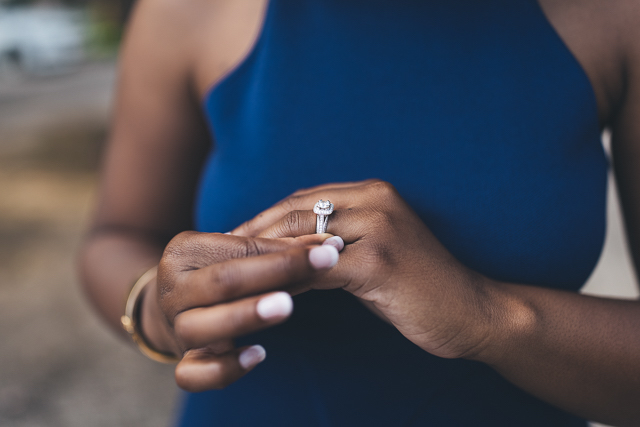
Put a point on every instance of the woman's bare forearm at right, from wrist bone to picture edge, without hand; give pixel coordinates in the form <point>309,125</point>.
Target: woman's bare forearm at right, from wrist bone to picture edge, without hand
<point>577,352</point>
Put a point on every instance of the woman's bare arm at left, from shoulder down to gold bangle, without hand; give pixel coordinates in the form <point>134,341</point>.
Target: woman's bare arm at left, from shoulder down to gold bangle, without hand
<point>154,152</point>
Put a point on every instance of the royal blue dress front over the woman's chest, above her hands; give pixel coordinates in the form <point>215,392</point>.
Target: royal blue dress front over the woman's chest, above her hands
<point>485,123</point>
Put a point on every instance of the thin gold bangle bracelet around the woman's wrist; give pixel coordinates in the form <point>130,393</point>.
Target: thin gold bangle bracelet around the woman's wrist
<point>131,320</point>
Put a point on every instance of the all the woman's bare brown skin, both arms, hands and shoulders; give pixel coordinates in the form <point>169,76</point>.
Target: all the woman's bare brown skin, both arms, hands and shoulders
<point>577,352</point>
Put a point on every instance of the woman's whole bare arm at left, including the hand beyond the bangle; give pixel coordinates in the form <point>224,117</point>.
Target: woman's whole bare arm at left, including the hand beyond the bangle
<point>204,295</point>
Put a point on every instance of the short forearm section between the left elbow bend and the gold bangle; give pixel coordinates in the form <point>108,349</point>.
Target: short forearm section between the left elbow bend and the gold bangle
<point>109,264</point>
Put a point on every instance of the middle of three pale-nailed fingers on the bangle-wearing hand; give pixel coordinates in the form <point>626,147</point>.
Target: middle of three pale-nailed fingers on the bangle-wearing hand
<point>199,327</point>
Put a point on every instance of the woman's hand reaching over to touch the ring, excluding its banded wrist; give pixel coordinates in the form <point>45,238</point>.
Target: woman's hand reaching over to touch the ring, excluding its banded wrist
<point>212,288</point>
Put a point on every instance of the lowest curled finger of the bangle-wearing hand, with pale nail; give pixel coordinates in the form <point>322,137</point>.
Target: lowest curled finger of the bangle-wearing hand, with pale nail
<point>201,370</point>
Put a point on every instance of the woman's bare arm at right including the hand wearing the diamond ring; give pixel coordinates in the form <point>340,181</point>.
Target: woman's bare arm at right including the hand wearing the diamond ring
<point>577,352</point>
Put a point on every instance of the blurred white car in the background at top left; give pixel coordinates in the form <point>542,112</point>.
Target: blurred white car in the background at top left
<point>40,40</point>
